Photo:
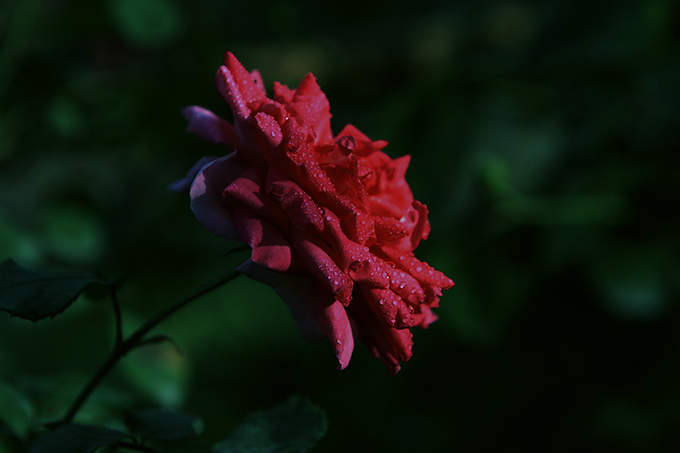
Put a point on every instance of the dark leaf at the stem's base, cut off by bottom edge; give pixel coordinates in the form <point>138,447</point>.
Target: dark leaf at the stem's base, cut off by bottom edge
<point>76,439</point>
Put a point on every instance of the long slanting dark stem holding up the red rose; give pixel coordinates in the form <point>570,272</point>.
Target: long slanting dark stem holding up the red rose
<point>122,348</point>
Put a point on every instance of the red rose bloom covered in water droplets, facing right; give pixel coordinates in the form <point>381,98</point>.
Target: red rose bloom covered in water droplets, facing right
<point>331,221</point>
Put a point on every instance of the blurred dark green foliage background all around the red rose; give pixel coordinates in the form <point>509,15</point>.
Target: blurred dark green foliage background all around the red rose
<point>544,140</point>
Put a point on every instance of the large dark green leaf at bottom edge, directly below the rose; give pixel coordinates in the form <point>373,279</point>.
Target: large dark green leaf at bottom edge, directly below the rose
<point>292,427</point>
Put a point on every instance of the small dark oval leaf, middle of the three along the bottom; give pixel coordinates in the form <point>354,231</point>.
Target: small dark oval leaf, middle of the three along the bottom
<point>163,425</point>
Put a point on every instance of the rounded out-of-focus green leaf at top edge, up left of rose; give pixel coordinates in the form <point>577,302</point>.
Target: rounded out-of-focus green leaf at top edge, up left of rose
<point>147,23</point>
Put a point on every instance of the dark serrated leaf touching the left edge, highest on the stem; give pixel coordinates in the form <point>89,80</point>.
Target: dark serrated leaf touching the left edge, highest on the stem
<point>36,295</point>
